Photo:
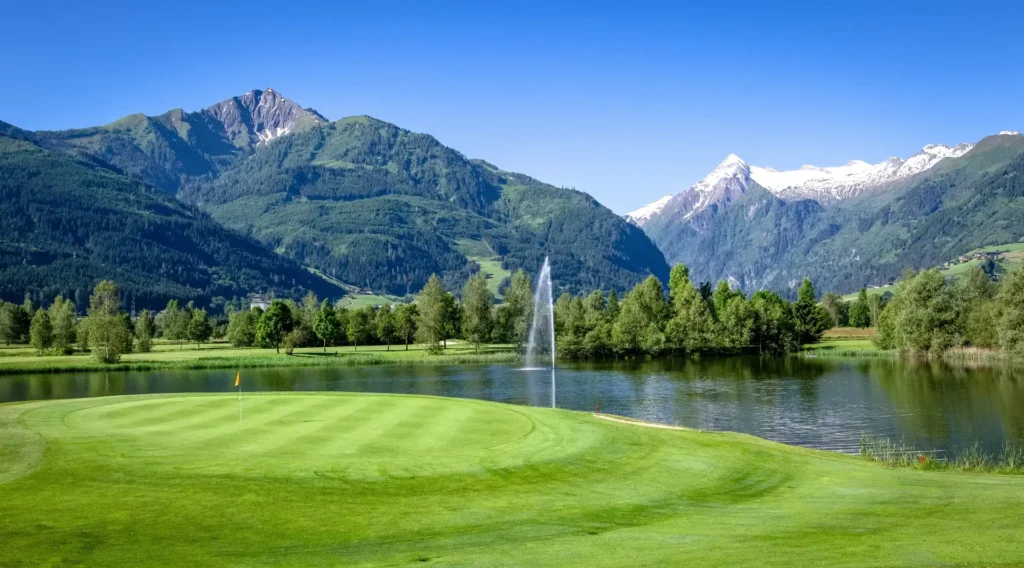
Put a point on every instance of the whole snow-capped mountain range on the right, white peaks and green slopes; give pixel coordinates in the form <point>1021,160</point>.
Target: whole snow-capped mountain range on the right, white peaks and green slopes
<point>844,228</point>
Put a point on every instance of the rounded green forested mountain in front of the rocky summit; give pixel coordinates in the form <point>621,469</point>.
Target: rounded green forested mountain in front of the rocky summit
<point>381,207</point>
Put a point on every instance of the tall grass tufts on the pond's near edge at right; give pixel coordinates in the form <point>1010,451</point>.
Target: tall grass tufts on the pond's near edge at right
<point>972,459</point>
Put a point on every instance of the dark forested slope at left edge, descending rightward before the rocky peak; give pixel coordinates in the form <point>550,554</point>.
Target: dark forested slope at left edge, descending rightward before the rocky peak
<point>70,224</point>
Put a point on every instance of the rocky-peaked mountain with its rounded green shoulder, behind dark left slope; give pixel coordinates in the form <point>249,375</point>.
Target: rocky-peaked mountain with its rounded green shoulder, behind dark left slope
<point>362,200</point>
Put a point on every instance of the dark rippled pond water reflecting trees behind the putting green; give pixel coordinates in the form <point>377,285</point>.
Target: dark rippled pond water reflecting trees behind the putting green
<point>826,405</point>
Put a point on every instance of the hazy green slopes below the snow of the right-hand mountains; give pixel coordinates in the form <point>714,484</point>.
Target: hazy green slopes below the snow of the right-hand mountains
<point>761,241</point>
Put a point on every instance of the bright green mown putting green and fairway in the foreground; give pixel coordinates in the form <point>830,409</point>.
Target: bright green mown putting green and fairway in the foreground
<point>332,479</point>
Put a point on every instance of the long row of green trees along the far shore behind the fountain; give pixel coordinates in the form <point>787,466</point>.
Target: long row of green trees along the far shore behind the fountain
<point>647,322</point>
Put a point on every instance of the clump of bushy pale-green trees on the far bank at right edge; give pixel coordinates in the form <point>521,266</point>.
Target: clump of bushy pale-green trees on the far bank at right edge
<point>931,314</point>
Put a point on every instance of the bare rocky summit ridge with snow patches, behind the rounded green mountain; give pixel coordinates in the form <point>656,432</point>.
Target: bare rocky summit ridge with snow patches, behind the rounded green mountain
<point>177,146</point>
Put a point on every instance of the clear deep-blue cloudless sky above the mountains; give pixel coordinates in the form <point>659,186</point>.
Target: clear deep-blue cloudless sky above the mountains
<point>625,101</point>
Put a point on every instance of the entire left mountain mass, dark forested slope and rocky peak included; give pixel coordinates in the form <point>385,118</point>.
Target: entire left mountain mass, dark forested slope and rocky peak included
<point>259,194</point>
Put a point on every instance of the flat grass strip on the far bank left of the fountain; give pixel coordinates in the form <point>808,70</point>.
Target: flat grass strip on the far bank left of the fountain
<point>22,360</point>
